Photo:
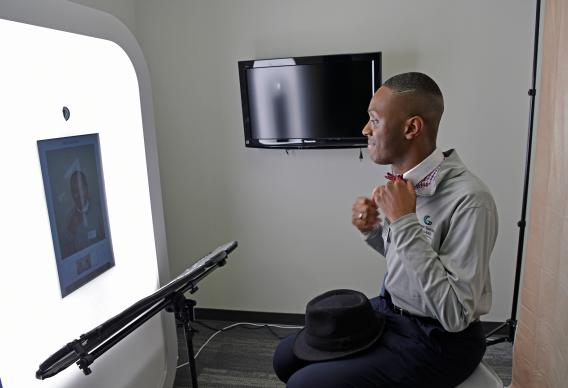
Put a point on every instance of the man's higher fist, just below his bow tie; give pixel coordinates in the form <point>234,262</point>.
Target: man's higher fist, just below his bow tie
<point>396,199</point>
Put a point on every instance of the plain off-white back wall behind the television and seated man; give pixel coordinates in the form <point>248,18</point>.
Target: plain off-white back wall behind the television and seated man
<point>291,213</point>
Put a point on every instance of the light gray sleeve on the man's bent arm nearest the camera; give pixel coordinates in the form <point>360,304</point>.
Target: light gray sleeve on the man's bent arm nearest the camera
<point>451,282</point>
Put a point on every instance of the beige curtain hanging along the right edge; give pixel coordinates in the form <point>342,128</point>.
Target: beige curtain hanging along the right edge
<point>540,357</point>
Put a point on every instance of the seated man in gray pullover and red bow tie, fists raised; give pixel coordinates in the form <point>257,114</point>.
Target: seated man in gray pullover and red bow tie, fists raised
<point>436,225</point>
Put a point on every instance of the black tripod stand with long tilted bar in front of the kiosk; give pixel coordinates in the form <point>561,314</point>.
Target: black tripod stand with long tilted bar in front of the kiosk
<point>90,346</point>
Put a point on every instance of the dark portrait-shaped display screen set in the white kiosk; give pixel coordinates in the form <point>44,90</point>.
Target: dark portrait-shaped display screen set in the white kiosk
<point>75,195</point>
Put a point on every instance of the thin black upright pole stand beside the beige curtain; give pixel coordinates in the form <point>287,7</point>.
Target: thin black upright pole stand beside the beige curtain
<point>511,323</point>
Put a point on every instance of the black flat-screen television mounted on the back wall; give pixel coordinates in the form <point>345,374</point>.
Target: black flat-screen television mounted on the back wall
<point>308,102</point>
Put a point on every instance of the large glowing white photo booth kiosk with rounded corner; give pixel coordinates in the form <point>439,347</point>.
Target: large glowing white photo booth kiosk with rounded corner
<point>81,225</point>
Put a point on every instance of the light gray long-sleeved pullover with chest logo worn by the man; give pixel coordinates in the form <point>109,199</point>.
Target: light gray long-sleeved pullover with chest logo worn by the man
<point>438,258</point>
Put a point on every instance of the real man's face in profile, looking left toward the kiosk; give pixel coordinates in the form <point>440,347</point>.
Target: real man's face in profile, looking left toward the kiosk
<point>385,129</point>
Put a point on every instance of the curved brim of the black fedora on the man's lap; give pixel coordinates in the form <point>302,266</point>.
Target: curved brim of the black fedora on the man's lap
<point>307,353</point>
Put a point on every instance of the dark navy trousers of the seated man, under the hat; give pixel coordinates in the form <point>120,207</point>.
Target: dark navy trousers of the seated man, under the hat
<point>413,352</point>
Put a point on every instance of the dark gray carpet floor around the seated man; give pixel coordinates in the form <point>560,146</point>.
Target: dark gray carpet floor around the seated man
<point>242,357</point>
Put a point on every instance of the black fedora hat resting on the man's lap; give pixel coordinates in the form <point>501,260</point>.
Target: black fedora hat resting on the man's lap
<point>338,323</point>
